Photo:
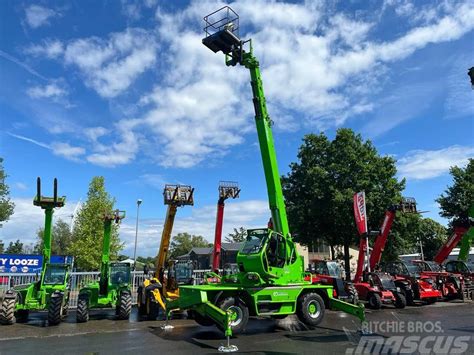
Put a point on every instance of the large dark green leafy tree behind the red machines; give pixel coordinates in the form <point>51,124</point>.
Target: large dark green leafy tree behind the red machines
<point>319,188</point>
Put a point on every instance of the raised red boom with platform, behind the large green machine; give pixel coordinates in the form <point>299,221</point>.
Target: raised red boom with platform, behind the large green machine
<point>227,189</point>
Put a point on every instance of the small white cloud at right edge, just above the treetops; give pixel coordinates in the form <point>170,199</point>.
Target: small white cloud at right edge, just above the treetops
<point>427,164</point>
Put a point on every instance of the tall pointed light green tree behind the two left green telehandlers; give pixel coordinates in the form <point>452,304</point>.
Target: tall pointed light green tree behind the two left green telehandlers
<point>86,245</point>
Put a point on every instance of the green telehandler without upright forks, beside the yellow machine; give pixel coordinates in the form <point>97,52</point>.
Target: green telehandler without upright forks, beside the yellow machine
<point>113,289</point>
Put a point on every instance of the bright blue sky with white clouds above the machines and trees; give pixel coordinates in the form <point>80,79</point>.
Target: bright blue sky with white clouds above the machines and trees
<point>125,89</point>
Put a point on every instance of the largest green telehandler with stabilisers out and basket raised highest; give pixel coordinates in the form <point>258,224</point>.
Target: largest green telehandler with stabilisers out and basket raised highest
<point>271,279</point>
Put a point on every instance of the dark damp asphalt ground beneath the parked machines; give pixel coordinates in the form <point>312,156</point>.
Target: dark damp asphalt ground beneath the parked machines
<point>104,335</point>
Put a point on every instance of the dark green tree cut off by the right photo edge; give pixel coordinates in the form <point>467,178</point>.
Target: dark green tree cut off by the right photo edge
<point>458,198</point>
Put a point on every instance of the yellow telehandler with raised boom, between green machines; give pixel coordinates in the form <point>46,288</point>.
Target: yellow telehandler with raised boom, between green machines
<point>164,283</point>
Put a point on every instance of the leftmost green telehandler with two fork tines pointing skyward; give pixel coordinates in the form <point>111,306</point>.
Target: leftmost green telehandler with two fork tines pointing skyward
<point>51,291</point>
